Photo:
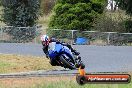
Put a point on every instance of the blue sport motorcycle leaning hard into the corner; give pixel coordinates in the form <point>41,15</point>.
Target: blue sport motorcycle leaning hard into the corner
<point>64,57</point>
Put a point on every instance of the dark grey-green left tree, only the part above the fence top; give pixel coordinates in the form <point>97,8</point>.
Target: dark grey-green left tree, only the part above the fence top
<point>20,13</point>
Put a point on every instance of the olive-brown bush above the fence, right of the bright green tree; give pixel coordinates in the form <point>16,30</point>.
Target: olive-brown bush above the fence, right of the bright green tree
<point>111,22</point>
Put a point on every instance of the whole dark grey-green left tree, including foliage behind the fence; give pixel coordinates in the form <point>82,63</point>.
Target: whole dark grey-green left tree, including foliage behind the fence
<point>20,13</point>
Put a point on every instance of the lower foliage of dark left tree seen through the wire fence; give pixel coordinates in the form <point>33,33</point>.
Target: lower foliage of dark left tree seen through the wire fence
<point>22,35</point>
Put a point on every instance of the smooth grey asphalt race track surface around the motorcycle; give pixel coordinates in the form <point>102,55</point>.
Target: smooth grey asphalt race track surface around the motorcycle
<point>96,58</point>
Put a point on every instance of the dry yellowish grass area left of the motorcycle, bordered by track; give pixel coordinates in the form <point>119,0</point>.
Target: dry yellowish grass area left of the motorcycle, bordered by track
<point>18,63</point>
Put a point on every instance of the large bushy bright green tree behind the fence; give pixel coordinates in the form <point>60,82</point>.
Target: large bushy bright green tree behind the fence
<point>76,14</point>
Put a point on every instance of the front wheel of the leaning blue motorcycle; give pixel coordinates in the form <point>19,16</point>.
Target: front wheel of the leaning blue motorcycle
<point>67,62</point>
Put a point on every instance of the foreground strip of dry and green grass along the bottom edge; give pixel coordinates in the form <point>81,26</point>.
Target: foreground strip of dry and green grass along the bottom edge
<point>54,82</point>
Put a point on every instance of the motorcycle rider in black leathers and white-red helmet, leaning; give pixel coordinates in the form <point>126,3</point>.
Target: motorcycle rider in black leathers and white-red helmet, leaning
<point>46,45</point>
